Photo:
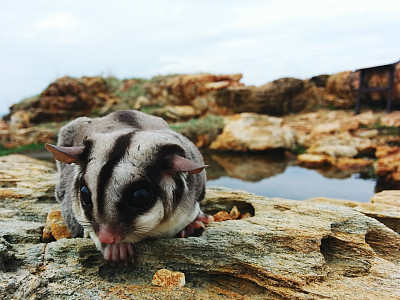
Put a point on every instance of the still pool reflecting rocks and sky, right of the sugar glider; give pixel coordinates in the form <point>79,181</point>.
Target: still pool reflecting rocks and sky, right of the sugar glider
<point>277,175</point>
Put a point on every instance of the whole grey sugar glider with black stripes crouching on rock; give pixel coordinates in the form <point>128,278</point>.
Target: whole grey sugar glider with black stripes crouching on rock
<point>126,177</point>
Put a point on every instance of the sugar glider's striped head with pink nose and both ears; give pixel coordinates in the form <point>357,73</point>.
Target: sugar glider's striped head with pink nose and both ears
<point>133,184</point>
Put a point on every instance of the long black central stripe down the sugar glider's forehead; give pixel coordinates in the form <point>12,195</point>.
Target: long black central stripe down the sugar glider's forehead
<point>117,152</point>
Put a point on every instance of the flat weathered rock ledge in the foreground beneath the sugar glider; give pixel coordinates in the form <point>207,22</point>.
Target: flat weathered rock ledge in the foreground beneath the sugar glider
<point>314,249</point>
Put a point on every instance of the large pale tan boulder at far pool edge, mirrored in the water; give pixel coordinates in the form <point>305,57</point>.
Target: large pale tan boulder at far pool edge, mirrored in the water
<point>252,132</point>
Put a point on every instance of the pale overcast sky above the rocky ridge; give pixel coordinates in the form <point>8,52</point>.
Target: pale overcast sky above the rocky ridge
<point>264,40</point>
